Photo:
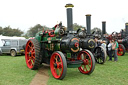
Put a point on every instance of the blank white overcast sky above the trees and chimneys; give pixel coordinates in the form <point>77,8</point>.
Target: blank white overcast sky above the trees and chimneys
<point>24,14</point>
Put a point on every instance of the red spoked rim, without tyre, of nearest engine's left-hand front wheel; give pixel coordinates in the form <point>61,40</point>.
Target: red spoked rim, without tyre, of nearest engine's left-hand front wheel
<point>56,65</point>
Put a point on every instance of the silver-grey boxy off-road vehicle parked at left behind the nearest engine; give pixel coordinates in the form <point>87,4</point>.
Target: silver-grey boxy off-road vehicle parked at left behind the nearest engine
<point>13,46</point>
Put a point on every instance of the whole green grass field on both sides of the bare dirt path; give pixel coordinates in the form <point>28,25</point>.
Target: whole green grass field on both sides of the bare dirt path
<point>13,71</point>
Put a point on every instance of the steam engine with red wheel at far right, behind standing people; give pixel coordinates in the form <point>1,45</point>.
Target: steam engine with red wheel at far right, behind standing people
<point>122,39</point>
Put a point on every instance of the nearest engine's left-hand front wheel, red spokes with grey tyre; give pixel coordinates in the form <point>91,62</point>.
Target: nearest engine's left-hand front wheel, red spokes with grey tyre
<point>58,65</point>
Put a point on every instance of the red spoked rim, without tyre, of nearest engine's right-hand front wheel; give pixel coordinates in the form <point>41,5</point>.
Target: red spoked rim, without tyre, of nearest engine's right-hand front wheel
<point>87,65</point>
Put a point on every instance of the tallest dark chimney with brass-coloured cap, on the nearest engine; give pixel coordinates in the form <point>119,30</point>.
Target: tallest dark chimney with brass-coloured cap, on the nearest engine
<point>69,17</point>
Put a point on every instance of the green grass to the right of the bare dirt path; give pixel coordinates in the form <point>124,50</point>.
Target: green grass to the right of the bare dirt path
<point>111,73</point>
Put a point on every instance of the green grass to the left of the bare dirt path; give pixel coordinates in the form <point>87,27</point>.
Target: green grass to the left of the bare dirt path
<point>13,71</point>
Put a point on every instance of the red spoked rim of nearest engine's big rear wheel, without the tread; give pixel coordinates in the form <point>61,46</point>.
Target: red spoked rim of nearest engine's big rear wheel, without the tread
<point>30,54</point>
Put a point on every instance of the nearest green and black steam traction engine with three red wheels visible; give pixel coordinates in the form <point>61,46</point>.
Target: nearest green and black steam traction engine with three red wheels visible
<point>61,49</point>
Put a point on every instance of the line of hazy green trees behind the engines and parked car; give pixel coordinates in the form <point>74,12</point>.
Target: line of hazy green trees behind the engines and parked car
<point>8,31</point>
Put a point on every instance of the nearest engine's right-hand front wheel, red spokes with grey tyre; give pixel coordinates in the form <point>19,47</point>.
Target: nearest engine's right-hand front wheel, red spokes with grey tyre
<point>88,65</point>
